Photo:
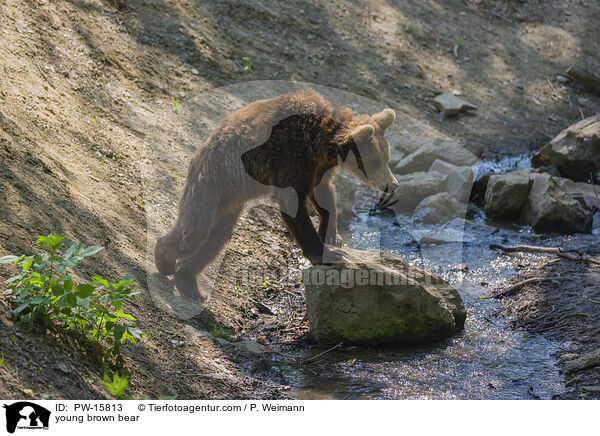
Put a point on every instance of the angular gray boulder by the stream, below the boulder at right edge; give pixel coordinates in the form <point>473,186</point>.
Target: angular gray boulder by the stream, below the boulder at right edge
<point>554,205</point>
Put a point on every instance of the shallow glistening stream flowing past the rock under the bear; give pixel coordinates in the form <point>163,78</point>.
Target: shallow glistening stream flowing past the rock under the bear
<point>488,360</point>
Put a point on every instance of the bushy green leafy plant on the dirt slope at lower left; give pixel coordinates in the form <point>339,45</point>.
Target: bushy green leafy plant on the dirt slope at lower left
<point>44,293</point>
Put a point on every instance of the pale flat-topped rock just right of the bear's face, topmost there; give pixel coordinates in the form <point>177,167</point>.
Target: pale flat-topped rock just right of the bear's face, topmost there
<point>443,149</point>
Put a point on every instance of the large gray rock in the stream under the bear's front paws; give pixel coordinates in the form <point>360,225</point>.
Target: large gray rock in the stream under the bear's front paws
<point>375,297</point>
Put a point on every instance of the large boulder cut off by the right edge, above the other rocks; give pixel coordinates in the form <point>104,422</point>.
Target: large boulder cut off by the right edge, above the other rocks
<point>575,151</point>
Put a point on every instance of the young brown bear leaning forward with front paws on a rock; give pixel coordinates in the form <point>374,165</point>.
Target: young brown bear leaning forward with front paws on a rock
<point>287,148</point>
